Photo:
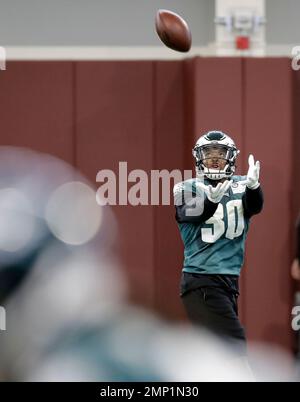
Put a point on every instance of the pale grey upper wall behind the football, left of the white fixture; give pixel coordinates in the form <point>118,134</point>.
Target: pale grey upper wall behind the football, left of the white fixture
<point>97,22</point>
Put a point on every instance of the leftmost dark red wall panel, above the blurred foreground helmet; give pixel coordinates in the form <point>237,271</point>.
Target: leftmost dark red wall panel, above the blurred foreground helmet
<point>36,107</point>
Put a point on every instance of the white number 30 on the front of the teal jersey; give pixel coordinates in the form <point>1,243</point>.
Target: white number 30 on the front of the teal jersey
<point>234,223</point>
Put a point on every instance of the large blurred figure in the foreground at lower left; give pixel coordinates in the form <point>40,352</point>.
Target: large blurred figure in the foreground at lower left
<point>67,318</point>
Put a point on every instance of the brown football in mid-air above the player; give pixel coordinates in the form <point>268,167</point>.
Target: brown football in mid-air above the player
<point>173,30</point>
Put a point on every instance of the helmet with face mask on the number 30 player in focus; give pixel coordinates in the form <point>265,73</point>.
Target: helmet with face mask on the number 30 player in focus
<point>227,151</point>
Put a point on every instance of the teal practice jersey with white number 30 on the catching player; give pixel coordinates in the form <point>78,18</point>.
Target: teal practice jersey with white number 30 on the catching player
<point>216,245</point>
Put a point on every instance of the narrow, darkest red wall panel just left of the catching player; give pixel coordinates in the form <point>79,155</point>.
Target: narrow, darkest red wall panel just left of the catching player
<point>169,143</point>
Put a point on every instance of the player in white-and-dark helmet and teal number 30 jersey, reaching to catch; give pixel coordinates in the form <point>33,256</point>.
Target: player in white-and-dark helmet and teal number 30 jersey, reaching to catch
<point>213,212</point>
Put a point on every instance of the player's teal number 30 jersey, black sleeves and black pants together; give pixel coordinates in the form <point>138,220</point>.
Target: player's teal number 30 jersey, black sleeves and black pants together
<point>214,237</point>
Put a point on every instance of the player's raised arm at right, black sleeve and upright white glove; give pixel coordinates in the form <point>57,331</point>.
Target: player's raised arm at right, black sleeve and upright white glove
<point>253,199</point>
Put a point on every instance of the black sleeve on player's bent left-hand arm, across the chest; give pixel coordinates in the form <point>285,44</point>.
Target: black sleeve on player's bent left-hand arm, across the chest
<point>209,208</point>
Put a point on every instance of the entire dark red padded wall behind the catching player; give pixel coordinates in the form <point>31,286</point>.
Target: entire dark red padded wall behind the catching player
<point>150,114</point>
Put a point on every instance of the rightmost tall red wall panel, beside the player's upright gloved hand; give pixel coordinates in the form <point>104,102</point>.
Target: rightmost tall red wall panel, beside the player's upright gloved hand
<point>269,135</point>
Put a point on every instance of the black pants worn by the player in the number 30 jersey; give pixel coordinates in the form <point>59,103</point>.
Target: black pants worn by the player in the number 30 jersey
<point>211,302</point>
